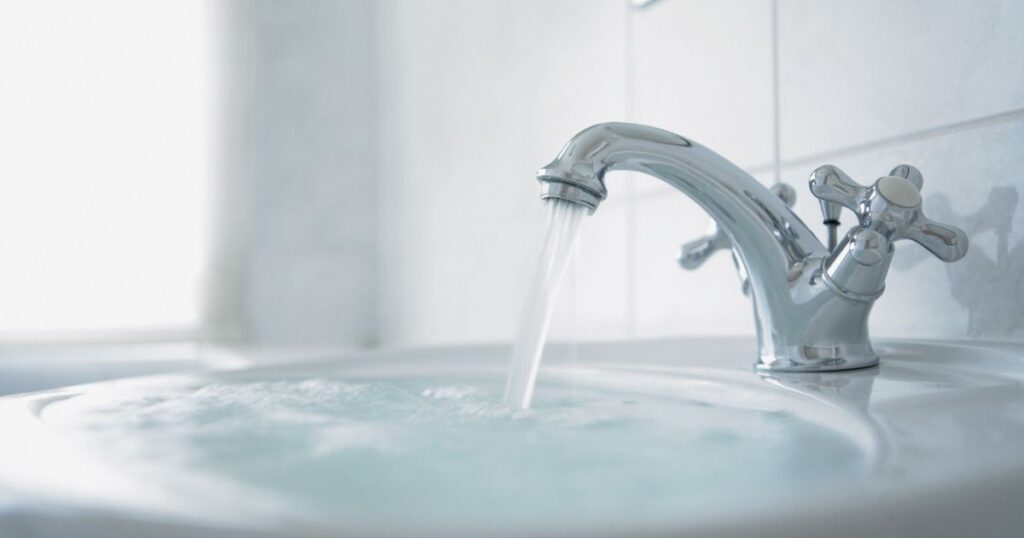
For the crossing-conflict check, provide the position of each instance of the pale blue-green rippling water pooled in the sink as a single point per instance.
(414, 453)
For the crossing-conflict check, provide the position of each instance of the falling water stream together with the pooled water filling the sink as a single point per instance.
(407, 443)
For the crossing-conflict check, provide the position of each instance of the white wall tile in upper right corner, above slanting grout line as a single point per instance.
(854, 73)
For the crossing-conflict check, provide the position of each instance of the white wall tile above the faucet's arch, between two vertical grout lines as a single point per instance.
(703, 69)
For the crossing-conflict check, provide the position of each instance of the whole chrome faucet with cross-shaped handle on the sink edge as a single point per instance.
(812, 303)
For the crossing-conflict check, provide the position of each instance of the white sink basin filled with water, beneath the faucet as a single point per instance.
(658, 438)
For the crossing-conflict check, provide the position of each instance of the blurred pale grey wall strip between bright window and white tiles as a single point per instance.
(295, 250)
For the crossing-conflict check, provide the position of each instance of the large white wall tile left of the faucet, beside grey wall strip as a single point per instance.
(478, 97)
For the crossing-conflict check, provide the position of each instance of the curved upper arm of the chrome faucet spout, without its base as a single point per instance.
(769, 237)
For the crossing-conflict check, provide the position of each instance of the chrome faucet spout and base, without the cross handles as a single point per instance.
(802, 324)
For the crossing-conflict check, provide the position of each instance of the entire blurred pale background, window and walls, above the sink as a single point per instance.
(358, 174)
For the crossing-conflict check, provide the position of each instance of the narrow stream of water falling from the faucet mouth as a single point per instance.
(562, 232)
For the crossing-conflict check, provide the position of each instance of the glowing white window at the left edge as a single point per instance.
(106, 145)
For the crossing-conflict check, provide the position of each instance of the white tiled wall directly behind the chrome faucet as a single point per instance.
(478, 95)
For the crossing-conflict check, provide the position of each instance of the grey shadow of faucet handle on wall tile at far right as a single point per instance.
(991, 289)
